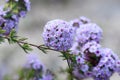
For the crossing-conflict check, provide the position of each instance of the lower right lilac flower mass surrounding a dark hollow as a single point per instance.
(95, 61)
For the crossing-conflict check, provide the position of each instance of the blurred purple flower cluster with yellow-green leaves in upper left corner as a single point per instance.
(8, 18)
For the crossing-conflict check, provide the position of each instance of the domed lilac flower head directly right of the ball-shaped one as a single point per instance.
(88, 32)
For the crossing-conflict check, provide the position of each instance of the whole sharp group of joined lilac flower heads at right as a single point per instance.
(81, 38)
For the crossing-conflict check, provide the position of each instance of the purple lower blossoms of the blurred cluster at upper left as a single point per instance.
(7, 24)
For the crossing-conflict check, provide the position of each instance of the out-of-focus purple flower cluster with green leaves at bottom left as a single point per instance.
(35, 69)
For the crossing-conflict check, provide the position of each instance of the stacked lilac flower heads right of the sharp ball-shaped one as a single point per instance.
(91, 59)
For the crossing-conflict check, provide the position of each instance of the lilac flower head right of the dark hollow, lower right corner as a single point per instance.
(106, 66)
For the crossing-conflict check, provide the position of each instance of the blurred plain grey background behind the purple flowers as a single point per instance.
(106, 13)
